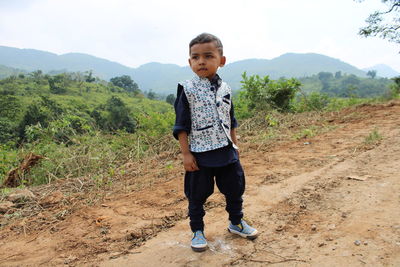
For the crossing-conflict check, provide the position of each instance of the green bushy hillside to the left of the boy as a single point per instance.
(58, 116)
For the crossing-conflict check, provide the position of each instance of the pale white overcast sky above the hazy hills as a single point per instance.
(134, 32)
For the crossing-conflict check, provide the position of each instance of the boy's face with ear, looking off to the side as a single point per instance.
(205, 59)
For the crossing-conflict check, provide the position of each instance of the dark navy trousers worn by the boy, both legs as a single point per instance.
(199, 185)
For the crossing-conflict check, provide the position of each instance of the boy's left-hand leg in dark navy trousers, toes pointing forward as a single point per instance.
(199, 185)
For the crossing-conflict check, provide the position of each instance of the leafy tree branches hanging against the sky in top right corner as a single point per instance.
(384, 24)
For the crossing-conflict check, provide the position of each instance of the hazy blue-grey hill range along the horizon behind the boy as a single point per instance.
(162, 78)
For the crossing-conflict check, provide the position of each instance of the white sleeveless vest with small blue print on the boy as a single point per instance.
(210, 114)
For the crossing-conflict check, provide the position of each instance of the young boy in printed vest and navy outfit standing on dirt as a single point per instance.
(205, 127)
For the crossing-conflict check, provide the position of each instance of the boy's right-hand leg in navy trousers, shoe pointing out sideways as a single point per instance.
(231, 182)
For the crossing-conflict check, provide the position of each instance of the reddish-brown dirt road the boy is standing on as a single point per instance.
(329, 200)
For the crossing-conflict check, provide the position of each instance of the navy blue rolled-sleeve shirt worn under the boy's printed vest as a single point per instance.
(213, 158)
